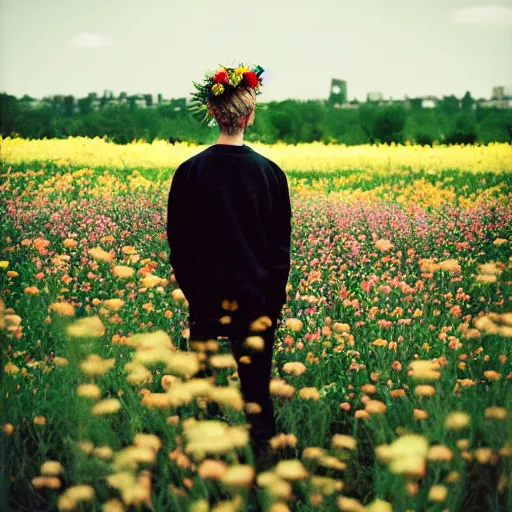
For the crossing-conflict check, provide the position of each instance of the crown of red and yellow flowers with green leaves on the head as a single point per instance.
(221, 82)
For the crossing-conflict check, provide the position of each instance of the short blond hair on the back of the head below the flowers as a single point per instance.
(232, 110)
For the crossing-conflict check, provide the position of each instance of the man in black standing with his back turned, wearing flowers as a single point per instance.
(229, 230)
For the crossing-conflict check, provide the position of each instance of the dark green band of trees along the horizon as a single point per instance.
(291, 121)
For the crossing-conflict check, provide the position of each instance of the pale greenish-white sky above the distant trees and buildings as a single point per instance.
(396, 47)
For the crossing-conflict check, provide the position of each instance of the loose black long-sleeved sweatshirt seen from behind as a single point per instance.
(229, 229)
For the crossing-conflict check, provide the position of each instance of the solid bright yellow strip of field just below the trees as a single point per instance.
(496, 157)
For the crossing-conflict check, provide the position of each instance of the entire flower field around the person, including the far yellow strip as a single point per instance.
(393, 360)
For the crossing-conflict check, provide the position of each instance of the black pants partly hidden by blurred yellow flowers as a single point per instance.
(254, 377)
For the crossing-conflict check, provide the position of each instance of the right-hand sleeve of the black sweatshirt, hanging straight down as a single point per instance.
(280, 247)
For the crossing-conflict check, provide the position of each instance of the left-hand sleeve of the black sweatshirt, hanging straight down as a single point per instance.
(180, 232)
